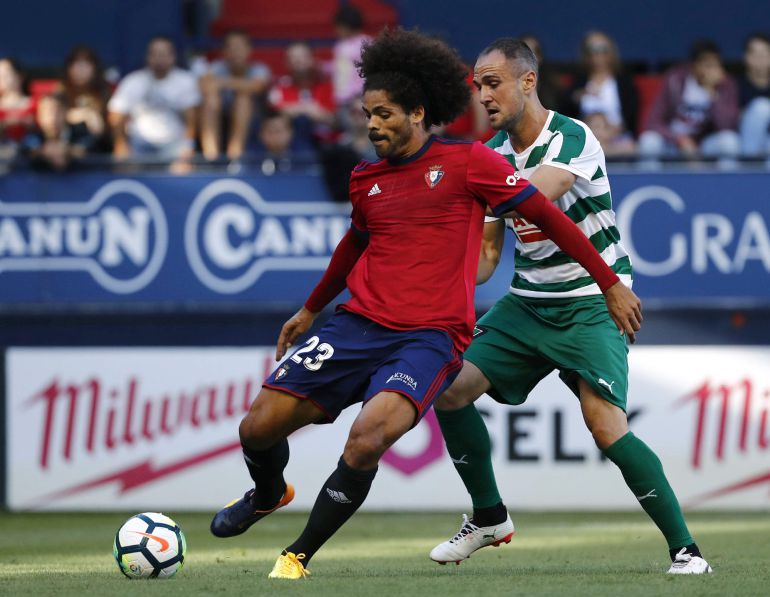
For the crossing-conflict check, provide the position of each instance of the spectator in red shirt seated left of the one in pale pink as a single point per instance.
(305, 95)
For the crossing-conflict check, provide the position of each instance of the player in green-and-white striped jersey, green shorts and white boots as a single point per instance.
(554, 316)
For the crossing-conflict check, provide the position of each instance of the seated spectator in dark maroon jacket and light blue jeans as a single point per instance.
(696, 111)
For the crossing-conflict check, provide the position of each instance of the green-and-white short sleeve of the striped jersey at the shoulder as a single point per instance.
(576, 150)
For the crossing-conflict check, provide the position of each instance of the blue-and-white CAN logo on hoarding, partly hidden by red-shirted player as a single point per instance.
(233, 236)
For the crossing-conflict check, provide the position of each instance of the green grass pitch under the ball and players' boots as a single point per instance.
(386, 554)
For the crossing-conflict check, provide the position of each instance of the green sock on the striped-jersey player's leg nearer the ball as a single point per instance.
(467, 441)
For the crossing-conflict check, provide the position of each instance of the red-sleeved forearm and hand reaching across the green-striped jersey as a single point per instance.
(624, 306)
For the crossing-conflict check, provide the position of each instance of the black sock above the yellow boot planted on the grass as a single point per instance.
(342, 494)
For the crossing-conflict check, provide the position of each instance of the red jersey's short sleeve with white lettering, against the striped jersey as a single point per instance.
(495, 181)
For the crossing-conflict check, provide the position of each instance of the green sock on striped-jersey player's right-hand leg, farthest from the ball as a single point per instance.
(644, 476)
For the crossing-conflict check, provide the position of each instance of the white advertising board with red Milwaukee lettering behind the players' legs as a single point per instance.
(157, 428)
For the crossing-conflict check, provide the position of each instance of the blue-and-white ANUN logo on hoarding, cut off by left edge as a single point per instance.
(119, 237)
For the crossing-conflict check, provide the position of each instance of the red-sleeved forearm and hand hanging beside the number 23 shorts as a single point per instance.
(332, 283)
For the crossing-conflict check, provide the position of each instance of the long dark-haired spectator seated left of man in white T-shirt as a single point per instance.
(83, 96)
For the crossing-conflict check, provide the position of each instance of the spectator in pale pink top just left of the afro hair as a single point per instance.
(348, 85)
